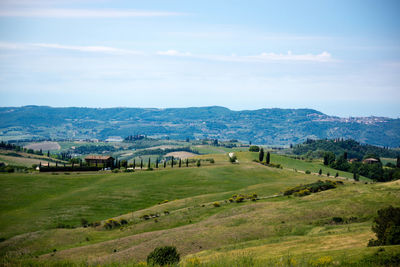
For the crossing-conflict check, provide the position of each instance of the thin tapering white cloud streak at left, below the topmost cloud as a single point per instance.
(98, 49)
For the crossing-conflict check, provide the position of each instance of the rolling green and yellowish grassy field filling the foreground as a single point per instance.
(272, 229)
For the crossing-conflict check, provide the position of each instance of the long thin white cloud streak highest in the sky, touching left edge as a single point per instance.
(83, 13)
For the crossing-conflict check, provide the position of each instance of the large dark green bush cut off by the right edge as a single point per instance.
(386, 227)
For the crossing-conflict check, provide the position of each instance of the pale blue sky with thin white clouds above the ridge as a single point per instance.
(341, 57)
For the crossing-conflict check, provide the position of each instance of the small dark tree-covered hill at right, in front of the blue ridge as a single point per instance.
(353, 148)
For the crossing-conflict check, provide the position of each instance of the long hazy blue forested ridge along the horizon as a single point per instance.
(263, 126)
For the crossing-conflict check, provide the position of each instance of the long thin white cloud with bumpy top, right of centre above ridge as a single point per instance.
(263, 57)
